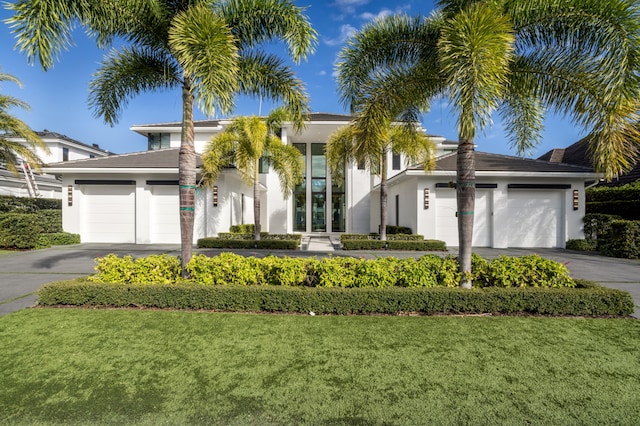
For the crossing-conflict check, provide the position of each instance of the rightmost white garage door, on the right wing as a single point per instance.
(535, 218)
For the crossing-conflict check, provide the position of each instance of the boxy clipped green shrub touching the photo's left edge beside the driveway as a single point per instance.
(20, 231)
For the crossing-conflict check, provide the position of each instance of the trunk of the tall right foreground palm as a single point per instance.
(466, 196)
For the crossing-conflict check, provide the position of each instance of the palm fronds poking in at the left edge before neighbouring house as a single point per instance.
(12, 153)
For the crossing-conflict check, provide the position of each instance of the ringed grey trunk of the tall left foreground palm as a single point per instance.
(187, 176)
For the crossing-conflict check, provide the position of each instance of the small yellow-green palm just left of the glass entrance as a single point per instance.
(244, 143)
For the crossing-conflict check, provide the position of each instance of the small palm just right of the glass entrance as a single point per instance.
(362, 143)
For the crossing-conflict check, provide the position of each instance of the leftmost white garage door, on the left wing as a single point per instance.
(109, 214)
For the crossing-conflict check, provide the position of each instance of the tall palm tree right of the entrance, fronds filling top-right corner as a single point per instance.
(518, 58)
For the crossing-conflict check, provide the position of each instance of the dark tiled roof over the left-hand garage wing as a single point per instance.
(160, 159)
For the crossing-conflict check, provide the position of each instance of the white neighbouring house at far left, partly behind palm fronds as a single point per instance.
(61, 148)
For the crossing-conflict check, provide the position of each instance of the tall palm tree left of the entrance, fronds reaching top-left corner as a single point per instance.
(210, 50)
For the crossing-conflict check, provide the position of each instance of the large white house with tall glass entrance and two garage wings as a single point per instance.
(133, 197)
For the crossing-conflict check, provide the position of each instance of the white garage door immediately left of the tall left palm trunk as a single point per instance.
(165, 215)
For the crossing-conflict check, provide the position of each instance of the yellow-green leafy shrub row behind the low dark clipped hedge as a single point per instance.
(426, 271)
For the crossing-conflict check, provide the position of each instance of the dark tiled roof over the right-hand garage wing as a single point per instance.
(487, 162)
